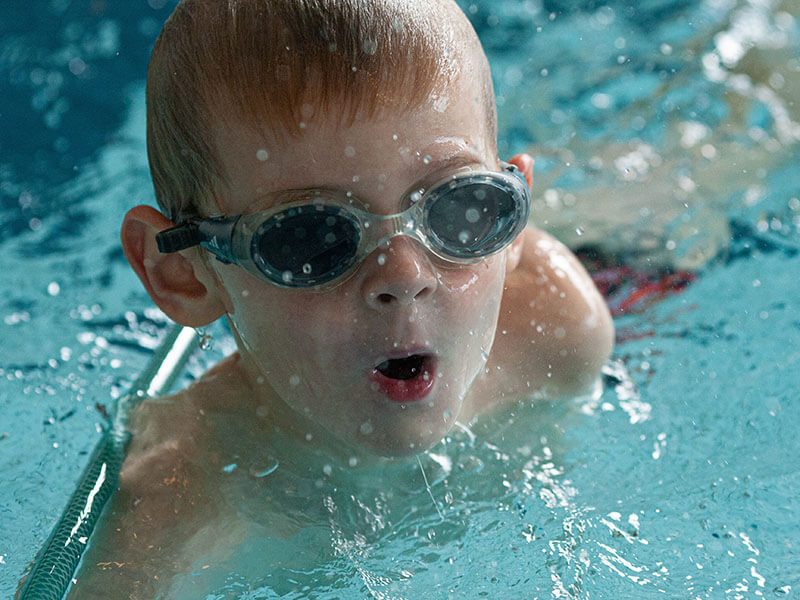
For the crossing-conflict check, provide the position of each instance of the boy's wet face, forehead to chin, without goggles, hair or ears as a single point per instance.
(318, 351)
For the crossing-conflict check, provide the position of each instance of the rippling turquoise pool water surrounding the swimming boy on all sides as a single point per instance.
(665, 133)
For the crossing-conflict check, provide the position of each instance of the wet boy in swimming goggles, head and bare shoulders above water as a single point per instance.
(362, 340)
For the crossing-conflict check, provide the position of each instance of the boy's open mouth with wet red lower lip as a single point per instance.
(405, 379)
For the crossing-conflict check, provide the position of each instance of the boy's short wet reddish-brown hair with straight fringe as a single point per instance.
(276, 63)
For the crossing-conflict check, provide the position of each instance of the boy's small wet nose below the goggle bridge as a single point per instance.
(399, 275)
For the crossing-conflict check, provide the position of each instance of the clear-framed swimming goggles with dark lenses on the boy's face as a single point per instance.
(315, 240)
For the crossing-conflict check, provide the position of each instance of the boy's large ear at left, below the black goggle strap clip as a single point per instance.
(179, 283)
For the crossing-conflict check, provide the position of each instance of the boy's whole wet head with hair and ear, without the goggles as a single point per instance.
(250, 101)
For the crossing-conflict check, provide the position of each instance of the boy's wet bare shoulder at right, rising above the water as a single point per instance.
(554, 331)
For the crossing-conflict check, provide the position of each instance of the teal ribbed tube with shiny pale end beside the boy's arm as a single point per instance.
(55, 567)
